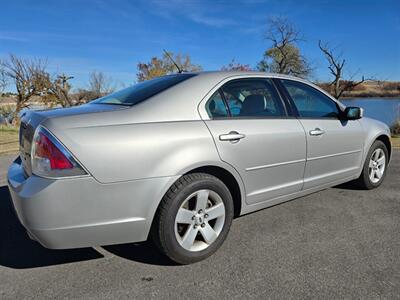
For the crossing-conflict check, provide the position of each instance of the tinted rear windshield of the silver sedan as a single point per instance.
(142, 91)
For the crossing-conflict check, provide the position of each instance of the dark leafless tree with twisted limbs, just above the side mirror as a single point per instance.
(336, 65)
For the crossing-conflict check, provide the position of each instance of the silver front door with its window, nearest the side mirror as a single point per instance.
(334, 146)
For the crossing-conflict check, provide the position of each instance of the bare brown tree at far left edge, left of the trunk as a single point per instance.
(28, 75)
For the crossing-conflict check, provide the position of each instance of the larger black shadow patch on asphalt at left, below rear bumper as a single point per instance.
(18, 251)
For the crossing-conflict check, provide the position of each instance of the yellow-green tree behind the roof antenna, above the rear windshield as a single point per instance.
(159, 66)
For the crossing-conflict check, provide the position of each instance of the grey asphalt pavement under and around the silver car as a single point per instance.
(338, 243)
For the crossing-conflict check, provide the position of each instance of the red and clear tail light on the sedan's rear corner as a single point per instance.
(50, 158)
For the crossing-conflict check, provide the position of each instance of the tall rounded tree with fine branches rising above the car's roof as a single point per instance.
(284, 55)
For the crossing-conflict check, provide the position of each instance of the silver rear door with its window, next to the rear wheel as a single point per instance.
(254, 134)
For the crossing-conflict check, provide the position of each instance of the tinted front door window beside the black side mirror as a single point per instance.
(310, 103)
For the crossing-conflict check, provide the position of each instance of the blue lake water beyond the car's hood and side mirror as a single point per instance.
(386, 110)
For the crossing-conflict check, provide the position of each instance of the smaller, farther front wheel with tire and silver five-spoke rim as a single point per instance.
(375, 166)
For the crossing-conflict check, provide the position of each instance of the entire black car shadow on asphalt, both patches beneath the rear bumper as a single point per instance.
(18, 251)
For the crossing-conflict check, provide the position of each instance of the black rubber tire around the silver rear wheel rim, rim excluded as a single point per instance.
(174, 249)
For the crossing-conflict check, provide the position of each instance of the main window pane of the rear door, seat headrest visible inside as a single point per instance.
(252, 98)
